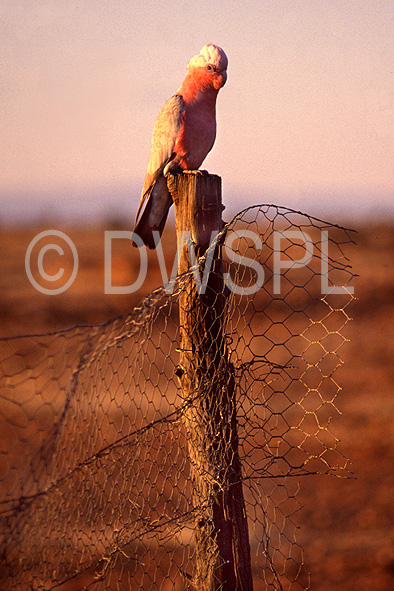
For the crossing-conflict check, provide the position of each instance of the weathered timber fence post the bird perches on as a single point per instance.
(207, 381)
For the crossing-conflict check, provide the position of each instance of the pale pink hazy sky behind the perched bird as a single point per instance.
(306, 119)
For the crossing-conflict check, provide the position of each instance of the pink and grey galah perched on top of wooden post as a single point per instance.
(183, 134)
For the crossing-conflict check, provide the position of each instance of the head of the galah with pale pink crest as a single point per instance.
(209, 67)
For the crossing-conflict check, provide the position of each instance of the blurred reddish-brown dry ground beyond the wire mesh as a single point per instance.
(347, 524)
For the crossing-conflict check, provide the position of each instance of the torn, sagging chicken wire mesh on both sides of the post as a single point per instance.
(95, 474)
